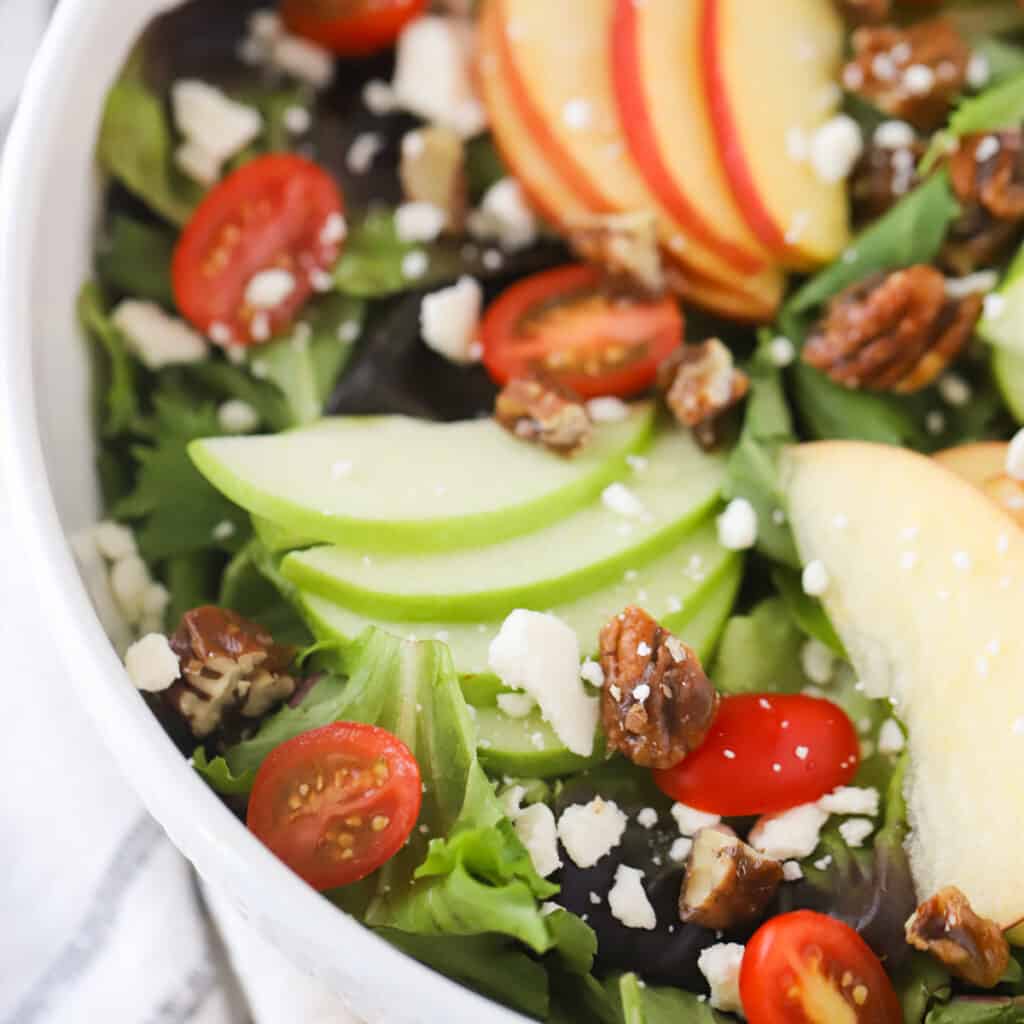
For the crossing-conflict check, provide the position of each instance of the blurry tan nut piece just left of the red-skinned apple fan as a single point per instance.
(433, 169)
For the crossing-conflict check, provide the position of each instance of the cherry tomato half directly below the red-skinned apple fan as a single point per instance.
(571, 326)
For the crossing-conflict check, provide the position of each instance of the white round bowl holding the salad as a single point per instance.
(50, 199)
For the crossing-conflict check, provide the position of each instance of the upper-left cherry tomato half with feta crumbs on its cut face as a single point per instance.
(275, 214)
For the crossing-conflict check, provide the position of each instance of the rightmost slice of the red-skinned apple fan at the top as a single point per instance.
(770, 72)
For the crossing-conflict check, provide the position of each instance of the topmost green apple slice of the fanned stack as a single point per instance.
(395, 484)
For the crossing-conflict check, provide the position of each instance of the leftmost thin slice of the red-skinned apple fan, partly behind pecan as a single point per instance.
(551, 196)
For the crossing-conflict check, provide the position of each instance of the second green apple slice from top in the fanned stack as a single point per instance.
(676, 488)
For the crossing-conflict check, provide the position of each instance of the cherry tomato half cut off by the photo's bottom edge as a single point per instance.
(804, 968)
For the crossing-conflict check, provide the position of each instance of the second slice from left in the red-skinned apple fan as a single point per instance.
(559, 62)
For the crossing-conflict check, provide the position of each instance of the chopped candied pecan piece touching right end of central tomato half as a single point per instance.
(702, 382)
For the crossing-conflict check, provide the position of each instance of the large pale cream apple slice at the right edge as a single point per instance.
(926, 579)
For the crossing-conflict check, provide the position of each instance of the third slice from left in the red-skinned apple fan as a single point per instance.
(657, 68)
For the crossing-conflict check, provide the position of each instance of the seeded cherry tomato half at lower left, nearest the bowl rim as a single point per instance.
(336, 803)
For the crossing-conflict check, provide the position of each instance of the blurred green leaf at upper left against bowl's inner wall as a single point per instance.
(137, 148)
